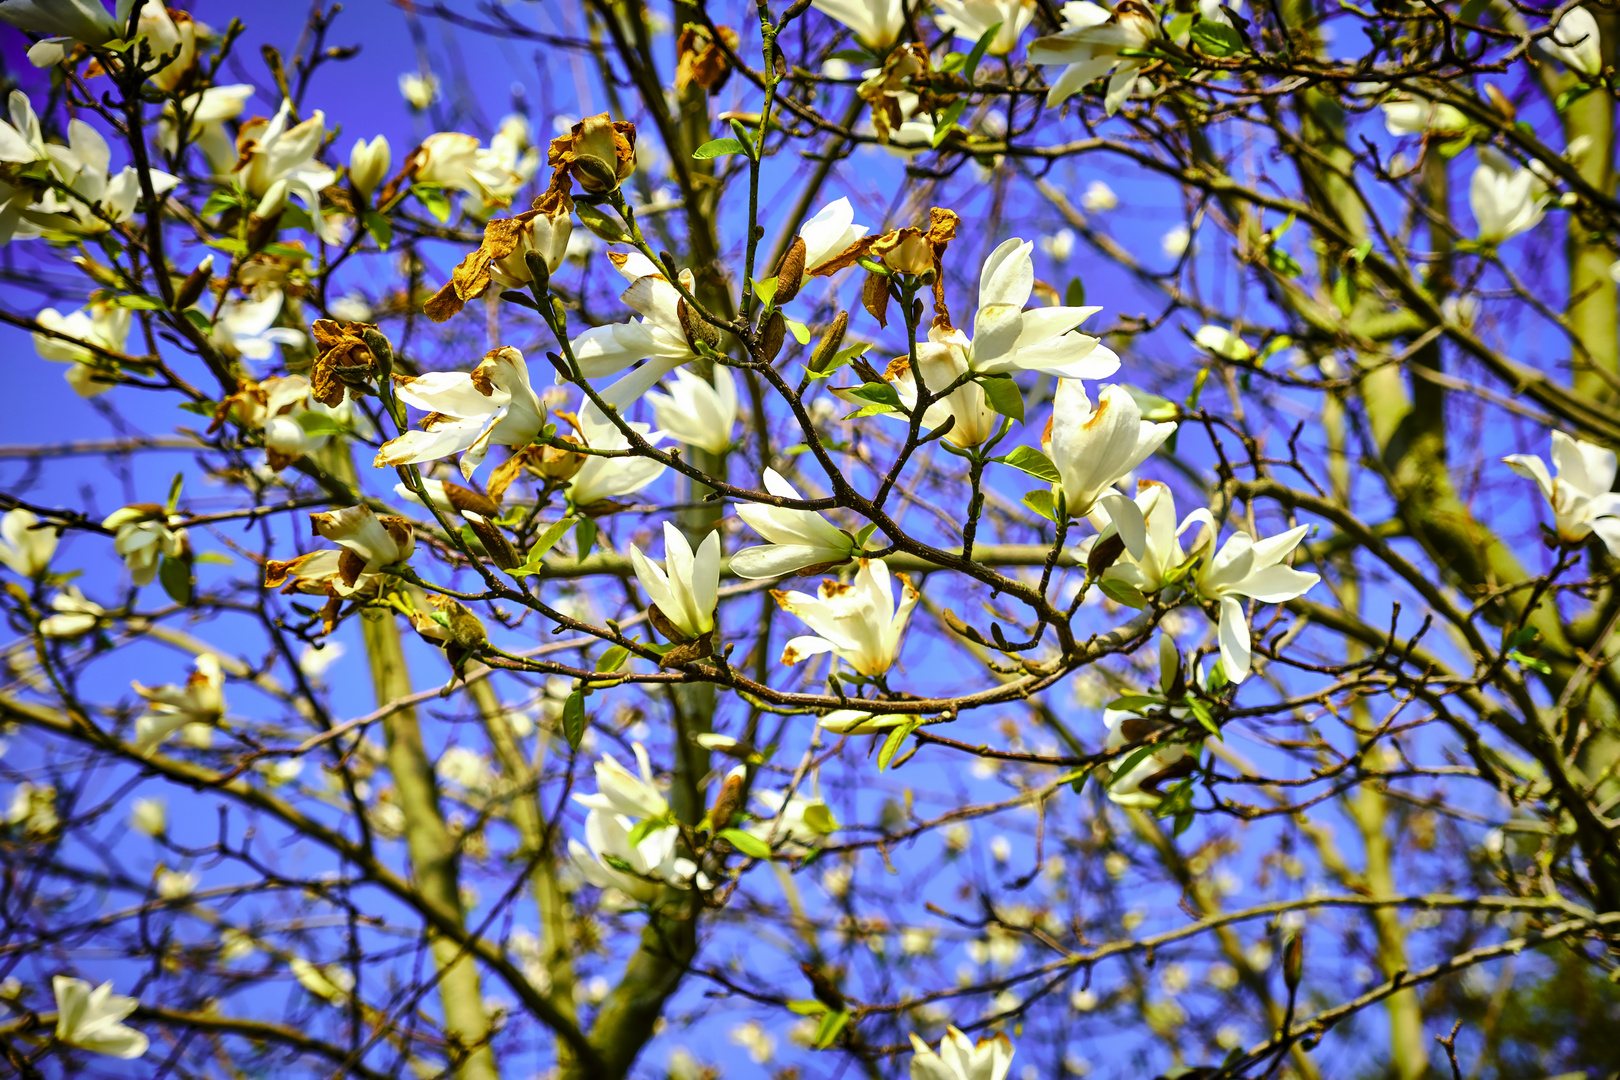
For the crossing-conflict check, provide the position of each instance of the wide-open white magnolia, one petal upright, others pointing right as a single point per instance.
(1008, 339)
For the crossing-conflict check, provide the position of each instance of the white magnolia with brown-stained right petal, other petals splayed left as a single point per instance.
(469, 412)
